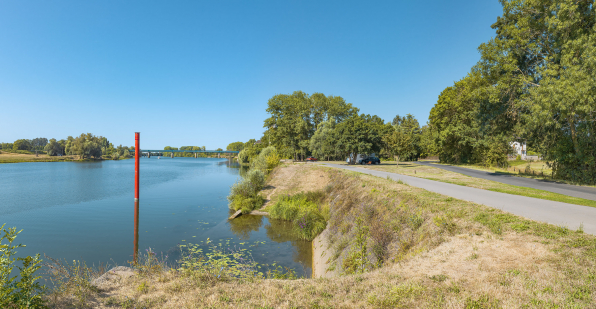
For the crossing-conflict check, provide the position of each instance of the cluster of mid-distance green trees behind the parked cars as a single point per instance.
(329, 128)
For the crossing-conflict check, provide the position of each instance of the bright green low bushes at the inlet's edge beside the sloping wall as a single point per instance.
(305, 210)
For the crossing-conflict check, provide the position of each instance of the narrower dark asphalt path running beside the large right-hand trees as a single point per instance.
(588, 193)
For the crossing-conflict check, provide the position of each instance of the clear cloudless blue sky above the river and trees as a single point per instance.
(200, 72)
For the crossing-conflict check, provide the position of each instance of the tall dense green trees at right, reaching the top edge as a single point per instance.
(535, 82)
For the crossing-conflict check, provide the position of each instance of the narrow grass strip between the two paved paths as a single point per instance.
(433, 173)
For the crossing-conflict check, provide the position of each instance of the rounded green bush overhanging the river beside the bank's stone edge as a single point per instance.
(244, 194)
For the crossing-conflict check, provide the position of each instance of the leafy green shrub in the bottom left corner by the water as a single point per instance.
(26, 292)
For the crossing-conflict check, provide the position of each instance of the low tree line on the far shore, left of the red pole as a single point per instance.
(85, 146)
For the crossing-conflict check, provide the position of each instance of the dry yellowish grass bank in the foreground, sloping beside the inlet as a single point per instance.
(391, 245)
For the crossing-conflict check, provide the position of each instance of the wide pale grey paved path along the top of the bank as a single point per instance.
(557, 213)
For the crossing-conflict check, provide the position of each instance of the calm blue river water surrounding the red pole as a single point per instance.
(84, 211)
